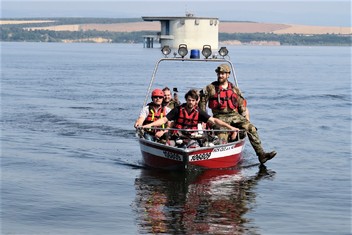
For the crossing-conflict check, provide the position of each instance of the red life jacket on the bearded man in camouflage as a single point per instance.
(223, 98)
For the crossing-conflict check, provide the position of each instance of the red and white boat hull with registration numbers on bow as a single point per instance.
(162, 156)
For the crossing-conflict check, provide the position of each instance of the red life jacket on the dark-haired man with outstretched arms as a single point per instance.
(187, 120)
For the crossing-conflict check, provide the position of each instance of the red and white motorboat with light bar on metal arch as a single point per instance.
(201, 148)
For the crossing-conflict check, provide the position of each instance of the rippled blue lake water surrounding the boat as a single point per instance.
(71, 164)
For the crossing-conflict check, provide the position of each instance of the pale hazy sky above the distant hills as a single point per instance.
(313, 12)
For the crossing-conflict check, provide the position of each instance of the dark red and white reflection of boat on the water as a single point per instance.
(196, 202)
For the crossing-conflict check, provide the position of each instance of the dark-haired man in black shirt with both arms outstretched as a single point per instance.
(188, 115)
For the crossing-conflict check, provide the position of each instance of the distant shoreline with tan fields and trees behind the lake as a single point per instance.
(106, 30)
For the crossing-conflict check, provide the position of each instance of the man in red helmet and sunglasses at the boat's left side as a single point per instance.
(152, 112)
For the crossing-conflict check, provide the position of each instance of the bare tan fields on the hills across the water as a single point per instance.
(224, 27)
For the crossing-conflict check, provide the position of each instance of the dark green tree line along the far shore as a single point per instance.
(17, 33)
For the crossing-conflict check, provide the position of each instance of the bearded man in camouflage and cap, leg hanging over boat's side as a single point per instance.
(227, 104)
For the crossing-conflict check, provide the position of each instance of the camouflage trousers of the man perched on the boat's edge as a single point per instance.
(240, 122)
